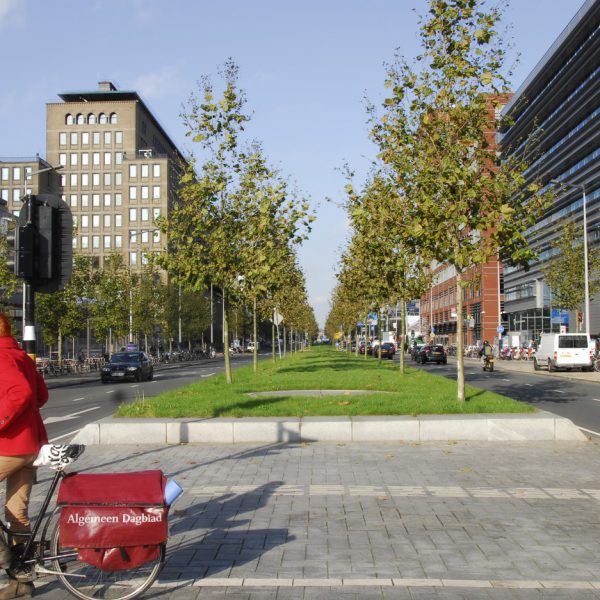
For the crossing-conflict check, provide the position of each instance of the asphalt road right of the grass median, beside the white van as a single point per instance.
(575, 400)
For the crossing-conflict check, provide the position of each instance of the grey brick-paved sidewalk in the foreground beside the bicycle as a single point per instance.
(360, 521)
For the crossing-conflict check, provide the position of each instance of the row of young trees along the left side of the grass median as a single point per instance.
(238, 222)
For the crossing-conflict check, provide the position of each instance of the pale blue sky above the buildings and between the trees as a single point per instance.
(305, 65)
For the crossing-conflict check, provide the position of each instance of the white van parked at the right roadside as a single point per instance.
(564, 351)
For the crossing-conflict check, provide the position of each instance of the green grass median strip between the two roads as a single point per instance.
(417, 392)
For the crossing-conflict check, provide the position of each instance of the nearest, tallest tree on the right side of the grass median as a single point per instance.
(436, 137)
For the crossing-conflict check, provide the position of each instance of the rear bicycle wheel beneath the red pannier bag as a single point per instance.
(90, 583)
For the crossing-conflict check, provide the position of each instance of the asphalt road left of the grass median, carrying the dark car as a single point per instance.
(71, 407)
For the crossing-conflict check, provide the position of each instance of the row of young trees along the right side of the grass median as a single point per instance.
(439, 193)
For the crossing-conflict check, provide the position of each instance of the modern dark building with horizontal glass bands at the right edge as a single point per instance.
(559, 104)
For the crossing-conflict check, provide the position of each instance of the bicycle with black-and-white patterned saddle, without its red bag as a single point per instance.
(32, 555)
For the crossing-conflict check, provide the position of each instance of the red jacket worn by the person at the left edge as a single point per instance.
(22, 393)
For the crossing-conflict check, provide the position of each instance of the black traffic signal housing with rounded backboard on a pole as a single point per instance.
(45, 251)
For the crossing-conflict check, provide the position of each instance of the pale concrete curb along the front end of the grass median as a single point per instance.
(542, 426)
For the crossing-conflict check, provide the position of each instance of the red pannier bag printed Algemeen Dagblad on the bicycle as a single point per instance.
(115, 521)
